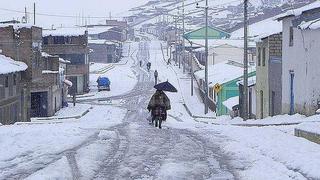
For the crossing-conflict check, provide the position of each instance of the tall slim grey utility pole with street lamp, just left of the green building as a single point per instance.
(206, 106)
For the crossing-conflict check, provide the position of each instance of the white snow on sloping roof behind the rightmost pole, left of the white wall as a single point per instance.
(262, 28)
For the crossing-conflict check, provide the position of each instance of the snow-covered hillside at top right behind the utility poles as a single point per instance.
(225, 14)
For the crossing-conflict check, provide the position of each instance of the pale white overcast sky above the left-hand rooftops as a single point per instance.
(93, 8)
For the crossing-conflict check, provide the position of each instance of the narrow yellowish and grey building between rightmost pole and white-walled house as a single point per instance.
(269, 72)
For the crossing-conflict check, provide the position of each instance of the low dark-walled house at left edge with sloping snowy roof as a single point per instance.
(12, 91)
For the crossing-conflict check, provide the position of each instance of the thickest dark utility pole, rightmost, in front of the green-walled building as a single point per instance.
(245, 63)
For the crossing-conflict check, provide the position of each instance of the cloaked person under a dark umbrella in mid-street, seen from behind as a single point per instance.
(159, 103)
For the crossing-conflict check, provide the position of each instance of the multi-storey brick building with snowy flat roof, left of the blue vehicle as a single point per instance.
(71, 44)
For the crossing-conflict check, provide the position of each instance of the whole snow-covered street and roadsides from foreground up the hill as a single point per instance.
(114, 140)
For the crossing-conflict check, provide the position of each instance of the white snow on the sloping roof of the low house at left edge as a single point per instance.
(8, 65)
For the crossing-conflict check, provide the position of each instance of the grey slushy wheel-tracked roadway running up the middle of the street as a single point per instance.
(145, 152)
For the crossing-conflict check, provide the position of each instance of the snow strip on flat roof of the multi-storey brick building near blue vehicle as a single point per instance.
(74, 31)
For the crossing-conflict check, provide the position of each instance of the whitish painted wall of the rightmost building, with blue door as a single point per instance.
(303, 57)
